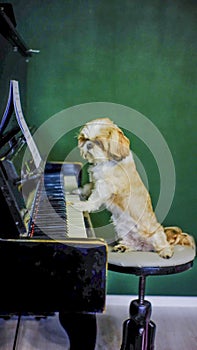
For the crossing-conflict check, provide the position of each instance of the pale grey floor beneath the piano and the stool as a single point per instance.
(176, 330)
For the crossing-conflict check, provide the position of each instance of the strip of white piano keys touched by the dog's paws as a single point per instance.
(75, 218)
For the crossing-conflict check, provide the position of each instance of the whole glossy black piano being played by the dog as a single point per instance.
(50, 259)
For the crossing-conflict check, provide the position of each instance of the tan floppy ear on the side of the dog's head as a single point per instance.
(119, 145)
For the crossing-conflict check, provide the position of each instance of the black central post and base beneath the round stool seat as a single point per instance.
(138, 330)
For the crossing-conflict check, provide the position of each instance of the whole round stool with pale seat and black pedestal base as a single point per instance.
(139, 330)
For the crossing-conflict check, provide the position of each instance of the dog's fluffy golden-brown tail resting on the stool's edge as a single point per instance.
(176, 236)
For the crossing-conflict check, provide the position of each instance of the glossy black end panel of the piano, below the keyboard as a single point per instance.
(47, 276)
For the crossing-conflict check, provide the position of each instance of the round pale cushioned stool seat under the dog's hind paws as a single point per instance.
(150, 263)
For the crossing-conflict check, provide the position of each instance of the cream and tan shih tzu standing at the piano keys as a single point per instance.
(118, 186)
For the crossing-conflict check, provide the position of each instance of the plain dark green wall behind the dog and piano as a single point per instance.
(141, 54)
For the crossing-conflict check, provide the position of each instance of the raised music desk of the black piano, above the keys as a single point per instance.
(20, 165)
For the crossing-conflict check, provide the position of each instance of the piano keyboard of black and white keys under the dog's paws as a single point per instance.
(52, 212)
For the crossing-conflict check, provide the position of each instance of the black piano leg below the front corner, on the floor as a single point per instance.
(81, 329)
